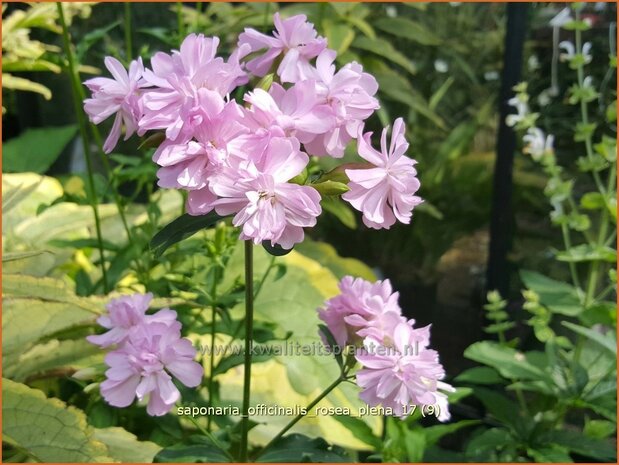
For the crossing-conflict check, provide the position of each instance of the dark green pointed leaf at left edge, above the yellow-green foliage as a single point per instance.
(36, 149)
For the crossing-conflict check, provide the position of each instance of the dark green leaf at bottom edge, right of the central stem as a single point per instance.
(297, 448)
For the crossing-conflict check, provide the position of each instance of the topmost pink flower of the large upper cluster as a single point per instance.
(294, 37)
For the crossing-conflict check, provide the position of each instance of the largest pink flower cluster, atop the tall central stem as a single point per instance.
(244, 158)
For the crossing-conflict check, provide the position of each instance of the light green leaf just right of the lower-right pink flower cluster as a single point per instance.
(507, 361)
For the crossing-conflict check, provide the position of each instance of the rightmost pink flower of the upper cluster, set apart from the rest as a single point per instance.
(384, 192)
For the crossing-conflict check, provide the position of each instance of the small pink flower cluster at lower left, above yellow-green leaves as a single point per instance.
(148, 350)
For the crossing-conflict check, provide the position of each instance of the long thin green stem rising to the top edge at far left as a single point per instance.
(75, 86)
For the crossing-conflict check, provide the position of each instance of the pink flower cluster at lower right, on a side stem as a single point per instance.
(398, 370)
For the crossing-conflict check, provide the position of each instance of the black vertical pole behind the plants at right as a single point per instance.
(501, 222)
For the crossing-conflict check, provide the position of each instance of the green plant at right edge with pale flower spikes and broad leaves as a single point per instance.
(566, 391)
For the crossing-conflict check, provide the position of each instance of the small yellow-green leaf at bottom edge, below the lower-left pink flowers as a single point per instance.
(123, 446)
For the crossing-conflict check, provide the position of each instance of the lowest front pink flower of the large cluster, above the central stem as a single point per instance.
(267, 207)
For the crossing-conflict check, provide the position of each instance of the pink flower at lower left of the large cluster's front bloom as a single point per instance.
(190, 165)
